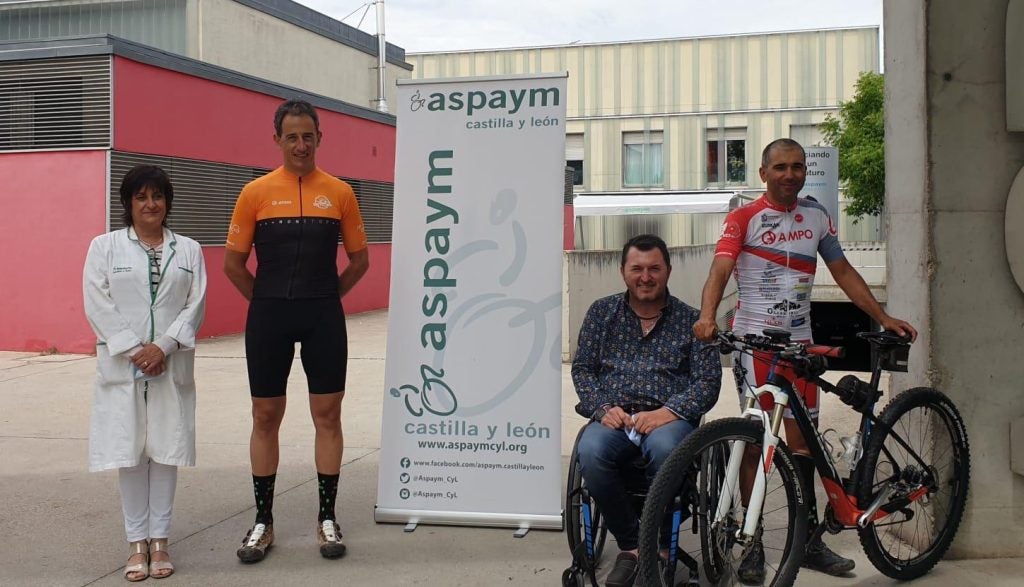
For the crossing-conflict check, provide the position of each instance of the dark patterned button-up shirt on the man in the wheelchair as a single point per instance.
(617, 365)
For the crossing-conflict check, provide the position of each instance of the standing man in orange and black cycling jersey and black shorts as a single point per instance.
(293, 217)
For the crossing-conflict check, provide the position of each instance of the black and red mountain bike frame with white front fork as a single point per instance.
(845, 507)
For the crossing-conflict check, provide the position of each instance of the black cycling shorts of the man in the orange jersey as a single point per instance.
(273, 328)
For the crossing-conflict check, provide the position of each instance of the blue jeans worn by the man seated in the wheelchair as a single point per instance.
(606, 455)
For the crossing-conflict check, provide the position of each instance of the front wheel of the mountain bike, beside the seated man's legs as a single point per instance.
(696, 473)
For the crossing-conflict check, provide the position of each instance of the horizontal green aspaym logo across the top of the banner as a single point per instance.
(497, 102)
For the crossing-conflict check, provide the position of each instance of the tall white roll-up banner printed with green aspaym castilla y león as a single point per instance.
(472, 425)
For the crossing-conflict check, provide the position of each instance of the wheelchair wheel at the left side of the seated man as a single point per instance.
(585, 527)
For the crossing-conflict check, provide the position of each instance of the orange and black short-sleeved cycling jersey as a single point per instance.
(294, 223)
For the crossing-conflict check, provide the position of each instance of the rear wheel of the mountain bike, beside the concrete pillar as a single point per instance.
(942, 427)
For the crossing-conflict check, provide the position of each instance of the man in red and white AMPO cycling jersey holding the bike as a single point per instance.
(772, 246)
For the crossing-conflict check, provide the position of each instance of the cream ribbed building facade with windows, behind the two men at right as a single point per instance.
(677, 116)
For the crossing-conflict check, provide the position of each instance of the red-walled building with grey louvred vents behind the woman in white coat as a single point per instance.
(78, 111)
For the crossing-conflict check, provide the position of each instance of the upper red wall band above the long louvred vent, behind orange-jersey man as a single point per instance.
(166, 113)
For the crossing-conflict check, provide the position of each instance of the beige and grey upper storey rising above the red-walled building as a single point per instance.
(276, 40)
